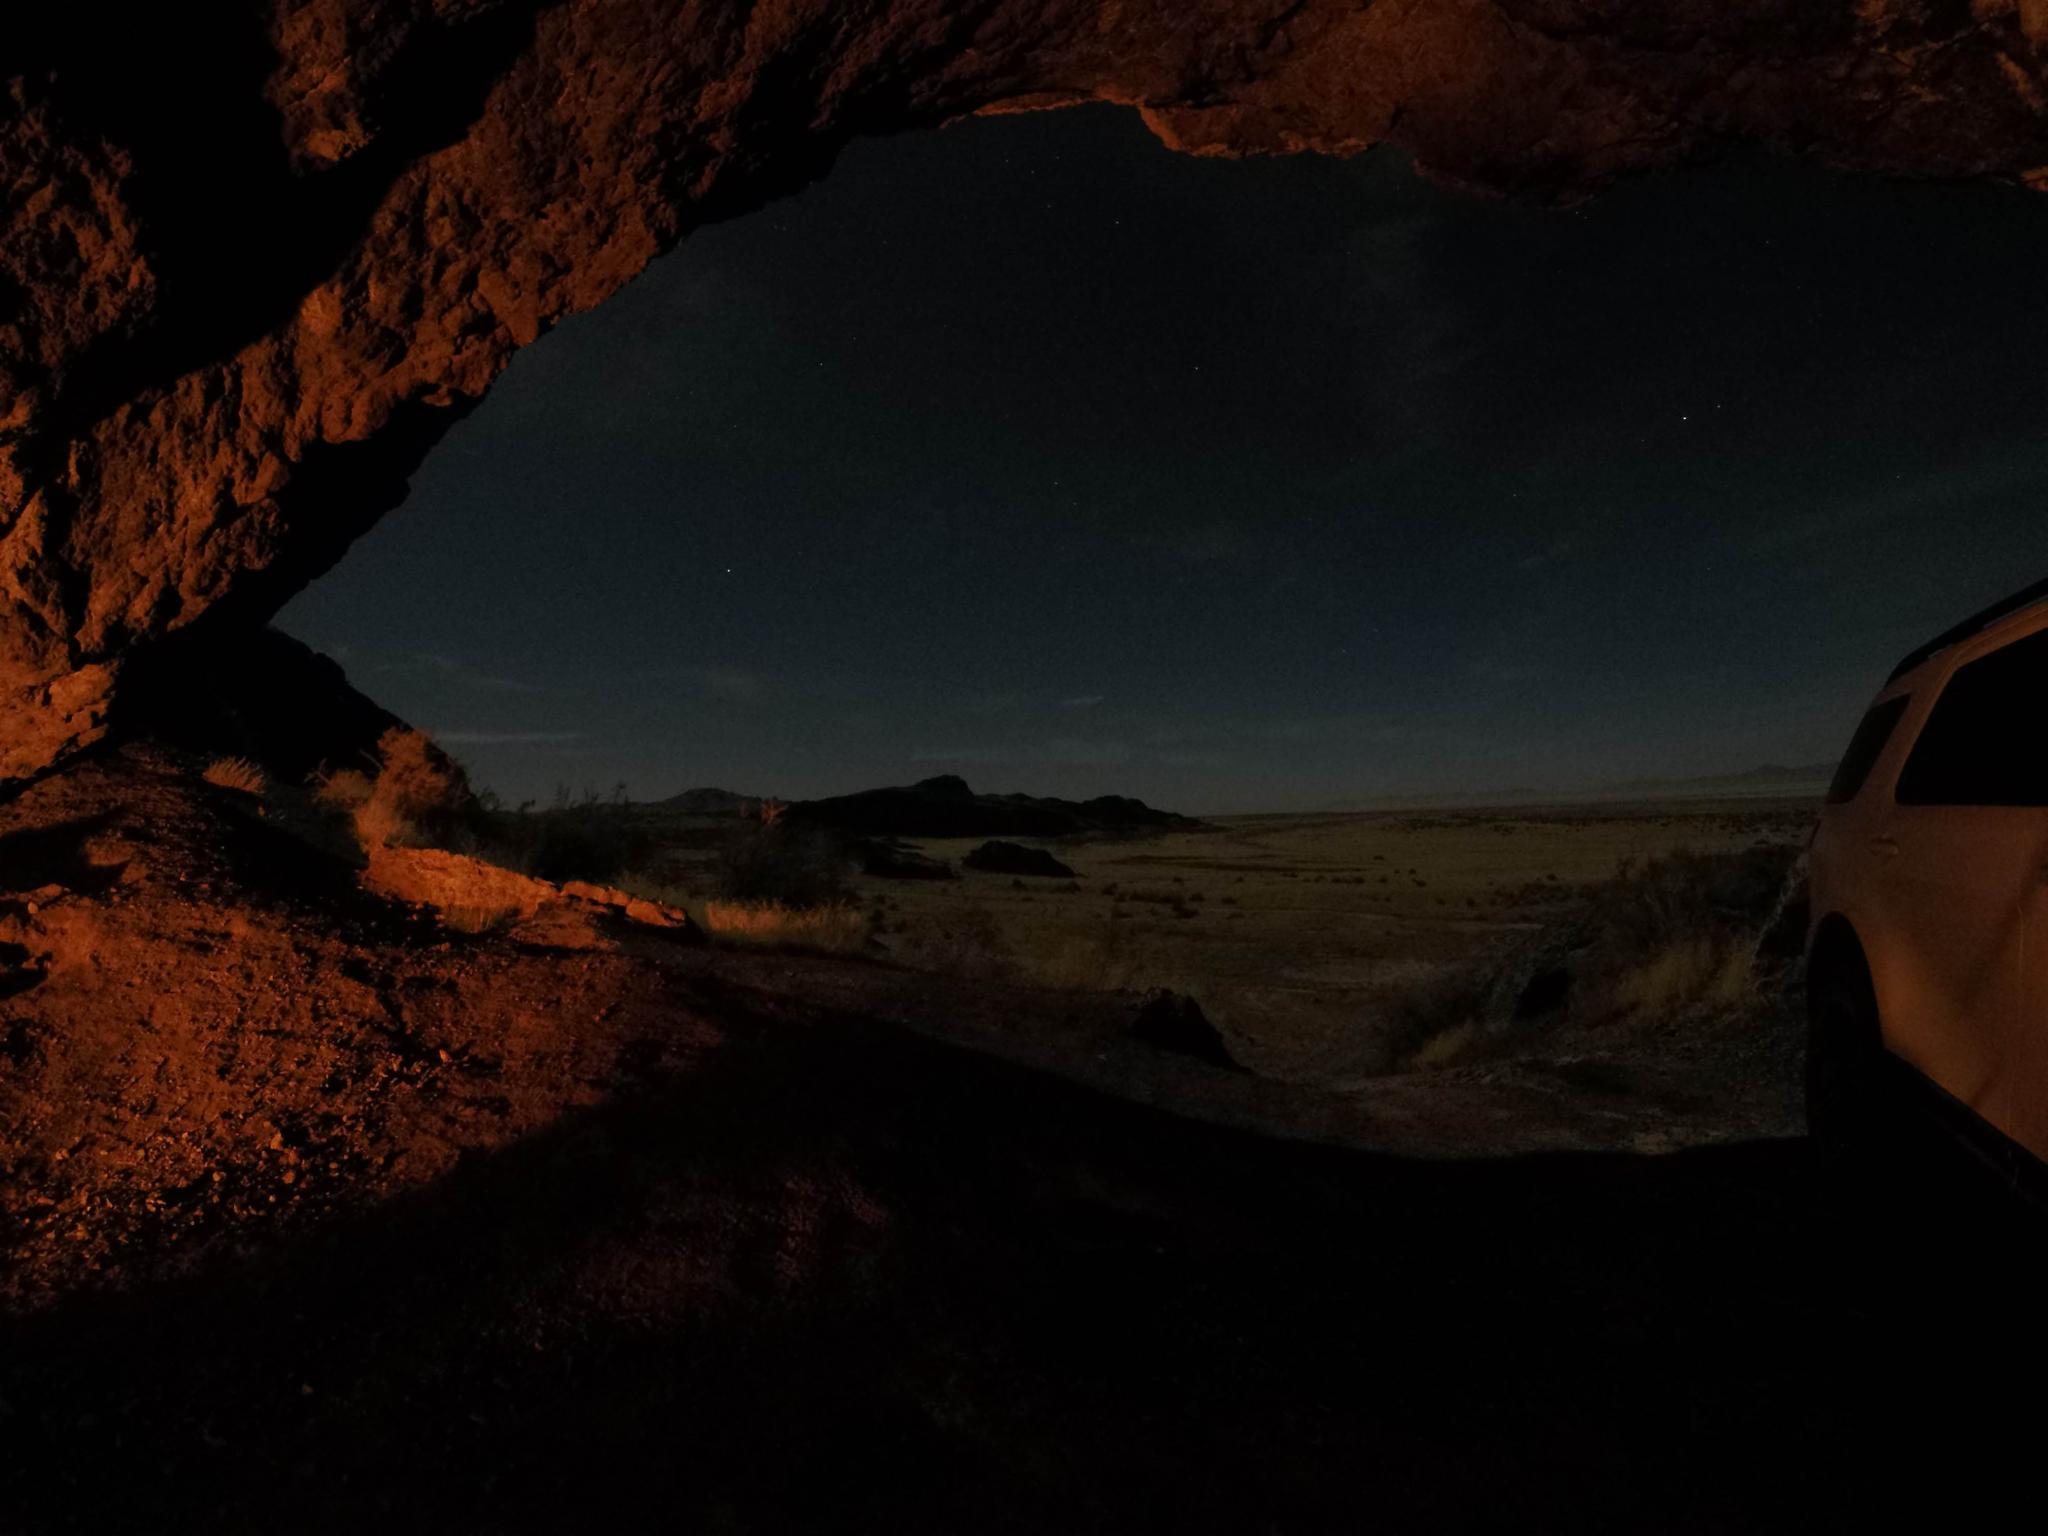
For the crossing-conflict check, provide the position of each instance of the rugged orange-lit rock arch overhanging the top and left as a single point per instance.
(255, 261)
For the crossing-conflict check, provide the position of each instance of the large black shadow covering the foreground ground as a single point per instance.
(845, 1279)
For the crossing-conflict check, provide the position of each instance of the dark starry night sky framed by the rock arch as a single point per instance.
(1037, 454)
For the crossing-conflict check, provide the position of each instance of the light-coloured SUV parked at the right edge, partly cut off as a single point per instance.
(1930, 888)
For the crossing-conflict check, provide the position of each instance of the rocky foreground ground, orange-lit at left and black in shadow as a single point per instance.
(321, 1215)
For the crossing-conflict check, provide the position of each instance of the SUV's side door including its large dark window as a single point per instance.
(1961, 876)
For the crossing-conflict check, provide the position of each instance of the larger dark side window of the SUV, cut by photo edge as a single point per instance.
(1983, 740)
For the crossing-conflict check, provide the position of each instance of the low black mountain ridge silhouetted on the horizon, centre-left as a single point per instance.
(947, 808)
